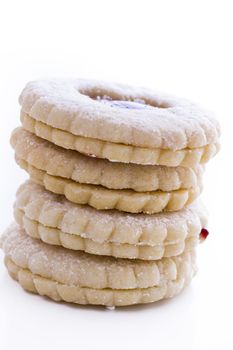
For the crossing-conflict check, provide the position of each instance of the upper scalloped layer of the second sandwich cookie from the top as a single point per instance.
(80, 168)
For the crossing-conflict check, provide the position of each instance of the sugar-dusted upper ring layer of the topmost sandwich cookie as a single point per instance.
(181, 124)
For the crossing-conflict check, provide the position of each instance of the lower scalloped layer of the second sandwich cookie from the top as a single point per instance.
(102, 198)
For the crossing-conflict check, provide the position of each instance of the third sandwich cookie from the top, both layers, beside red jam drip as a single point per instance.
(54, 220)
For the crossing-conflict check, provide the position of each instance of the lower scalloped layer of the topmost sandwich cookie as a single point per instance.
(120, 152)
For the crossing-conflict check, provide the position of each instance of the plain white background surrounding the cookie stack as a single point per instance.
(182, 47)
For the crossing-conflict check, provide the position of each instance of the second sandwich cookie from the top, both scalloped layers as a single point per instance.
(81, 180)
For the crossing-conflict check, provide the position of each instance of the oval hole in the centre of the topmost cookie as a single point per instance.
(113, 99)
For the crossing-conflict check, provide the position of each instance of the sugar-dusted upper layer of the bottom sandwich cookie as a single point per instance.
(81, 269)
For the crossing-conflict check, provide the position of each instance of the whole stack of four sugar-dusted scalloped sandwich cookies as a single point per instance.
(110, 214)
